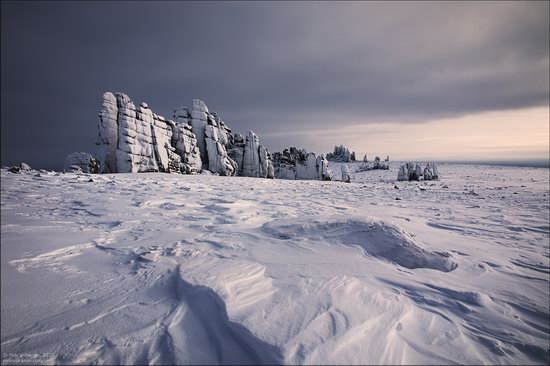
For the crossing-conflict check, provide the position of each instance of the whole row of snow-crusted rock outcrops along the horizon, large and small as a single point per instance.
(134, 139)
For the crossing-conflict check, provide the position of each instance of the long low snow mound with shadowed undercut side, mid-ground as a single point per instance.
(375, 238)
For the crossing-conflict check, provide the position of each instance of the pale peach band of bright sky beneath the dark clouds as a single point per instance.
(520, 134)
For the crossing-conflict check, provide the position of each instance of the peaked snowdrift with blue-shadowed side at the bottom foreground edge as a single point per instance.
(198, 310)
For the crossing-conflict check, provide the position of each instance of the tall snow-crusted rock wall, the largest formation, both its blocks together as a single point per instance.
(137, 140)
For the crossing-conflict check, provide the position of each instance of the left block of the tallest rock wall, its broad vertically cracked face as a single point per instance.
(137, 140)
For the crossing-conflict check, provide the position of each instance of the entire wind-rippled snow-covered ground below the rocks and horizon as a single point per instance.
(158, 268)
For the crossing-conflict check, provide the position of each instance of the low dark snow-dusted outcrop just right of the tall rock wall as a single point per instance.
(299, 164)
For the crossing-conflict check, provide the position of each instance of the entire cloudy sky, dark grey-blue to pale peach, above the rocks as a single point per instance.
(412, 80)
